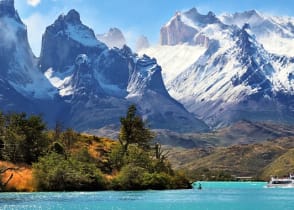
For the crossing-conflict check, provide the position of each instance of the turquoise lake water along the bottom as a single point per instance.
(214, 195)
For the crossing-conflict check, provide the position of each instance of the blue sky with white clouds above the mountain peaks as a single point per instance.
(133, 17)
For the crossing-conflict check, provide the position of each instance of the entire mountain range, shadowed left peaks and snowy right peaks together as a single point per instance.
(208, 72)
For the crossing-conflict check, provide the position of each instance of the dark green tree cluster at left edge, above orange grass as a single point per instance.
(23, 137)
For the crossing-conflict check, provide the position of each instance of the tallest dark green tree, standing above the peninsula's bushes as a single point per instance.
(133, 131)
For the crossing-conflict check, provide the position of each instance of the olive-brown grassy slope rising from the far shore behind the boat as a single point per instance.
(260, 159)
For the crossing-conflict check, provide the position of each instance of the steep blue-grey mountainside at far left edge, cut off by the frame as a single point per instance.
(23, 87)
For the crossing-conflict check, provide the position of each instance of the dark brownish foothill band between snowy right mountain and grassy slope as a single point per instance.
(243, 132)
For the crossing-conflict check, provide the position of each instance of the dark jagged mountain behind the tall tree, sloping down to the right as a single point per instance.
(99, 83)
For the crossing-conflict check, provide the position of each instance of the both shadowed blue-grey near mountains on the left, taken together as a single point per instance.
(79, 81)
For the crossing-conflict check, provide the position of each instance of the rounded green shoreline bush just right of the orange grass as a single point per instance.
(54, 173)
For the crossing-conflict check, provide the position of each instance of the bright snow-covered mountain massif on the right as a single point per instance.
(226, 68)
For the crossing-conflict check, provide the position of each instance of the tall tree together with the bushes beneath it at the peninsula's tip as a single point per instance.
(140, 164)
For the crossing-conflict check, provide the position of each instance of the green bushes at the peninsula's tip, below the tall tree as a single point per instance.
(141, 170)
